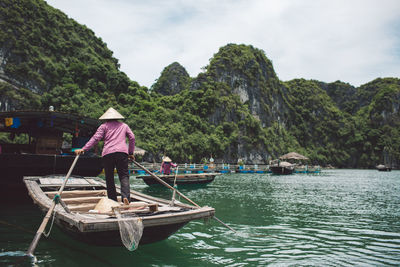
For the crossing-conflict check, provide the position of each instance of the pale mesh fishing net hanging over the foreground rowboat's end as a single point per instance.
(130, 229)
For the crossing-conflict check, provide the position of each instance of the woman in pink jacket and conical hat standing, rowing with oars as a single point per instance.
(115, 151)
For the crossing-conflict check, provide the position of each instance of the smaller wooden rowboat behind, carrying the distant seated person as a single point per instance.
(185, 178)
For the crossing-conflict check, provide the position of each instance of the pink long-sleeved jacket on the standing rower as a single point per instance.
(114, 134)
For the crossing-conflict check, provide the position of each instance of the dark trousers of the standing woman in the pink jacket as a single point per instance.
(117, 160)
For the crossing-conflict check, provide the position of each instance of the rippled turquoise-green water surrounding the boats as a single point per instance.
(336, 218)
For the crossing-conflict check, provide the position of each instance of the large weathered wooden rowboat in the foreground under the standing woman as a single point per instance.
(81, 196)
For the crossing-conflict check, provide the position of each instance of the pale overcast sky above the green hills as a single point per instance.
(354, 41)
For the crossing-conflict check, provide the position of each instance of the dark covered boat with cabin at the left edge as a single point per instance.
(42, 143)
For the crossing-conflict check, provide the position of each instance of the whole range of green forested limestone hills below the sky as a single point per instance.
(237, 109)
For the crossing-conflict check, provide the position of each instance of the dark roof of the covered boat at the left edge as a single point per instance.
(35, 122)
